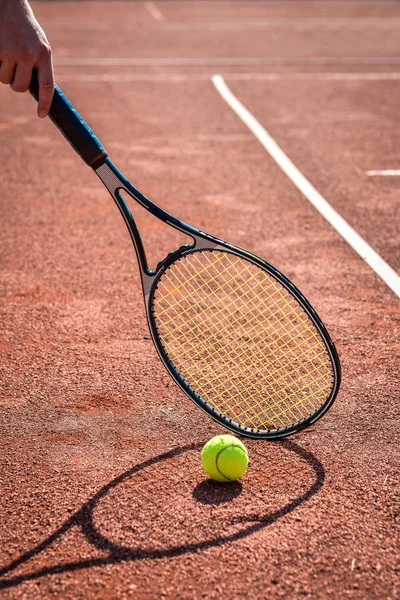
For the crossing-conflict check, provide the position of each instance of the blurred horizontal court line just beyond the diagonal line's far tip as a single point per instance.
(207, 62)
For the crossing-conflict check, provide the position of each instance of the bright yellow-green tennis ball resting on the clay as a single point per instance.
(224, 458)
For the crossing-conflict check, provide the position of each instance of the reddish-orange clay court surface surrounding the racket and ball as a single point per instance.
(102, 494)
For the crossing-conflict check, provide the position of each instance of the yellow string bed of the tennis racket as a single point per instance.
(241, 341)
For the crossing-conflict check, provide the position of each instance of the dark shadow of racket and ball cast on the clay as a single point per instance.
(205, 493)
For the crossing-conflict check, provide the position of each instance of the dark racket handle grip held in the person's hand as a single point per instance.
(72, 126)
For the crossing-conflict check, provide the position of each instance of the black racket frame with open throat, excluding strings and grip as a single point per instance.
(116, 183)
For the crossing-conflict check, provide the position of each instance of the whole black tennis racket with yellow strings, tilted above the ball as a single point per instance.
(233, 332)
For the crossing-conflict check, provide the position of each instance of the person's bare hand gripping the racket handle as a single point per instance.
(23, 47)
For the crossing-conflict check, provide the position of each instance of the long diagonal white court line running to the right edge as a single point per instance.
(372, 258)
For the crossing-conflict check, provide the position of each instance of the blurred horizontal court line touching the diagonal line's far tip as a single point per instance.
(176, 77)
